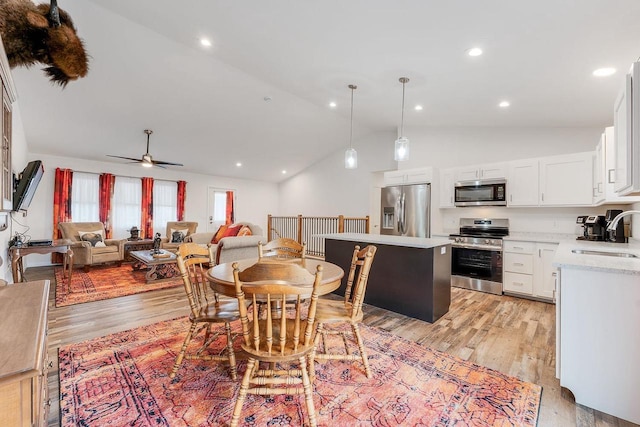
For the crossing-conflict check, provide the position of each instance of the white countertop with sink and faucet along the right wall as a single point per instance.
(566, 256)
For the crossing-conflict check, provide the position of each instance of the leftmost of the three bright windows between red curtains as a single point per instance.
(85, 193)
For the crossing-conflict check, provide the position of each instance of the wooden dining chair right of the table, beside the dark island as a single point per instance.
(348, 311)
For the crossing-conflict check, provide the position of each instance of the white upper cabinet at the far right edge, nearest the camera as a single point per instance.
(626, 122)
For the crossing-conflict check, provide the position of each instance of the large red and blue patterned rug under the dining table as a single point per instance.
(122, 379)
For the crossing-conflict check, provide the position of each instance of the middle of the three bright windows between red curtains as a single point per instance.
(125, 206)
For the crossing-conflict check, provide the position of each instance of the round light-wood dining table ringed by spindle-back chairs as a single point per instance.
(221, 276)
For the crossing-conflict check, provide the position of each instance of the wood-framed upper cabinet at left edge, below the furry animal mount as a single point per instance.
(8, 97)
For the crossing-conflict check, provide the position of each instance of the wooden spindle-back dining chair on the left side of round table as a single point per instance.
(206, 308)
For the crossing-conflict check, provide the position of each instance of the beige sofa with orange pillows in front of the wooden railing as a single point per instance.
(234, 248)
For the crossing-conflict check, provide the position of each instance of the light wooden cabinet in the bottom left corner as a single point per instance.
(23, 372)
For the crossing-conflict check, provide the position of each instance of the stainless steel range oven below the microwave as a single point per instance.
(476, 254)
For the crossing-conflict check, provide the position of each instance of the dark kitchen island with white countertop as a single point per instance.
(409, 275)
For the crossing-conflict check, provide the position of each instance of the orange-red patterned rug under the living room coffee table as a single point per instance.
(104, 282)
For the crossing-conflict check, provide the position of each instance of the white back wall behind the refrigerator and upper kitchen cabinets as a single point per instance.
(328, 189)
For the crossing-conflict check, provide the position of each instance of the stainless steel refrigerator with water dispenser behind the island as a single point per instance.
(406, 210)
